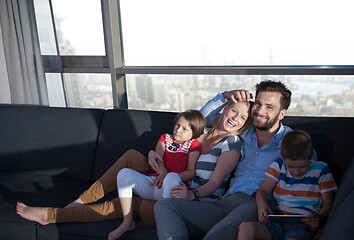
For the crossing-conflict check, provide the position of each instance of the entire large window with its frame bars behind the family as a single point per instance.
(170, 55)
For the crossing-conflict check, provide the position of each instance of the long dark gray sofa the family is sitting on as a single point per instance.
(48, 156)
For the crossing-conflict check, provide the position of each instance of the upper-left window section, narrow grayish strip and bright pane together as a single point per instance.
(78, 26)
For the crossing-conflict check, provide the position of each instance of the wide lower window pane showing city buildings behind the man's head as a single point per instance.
(312, 95)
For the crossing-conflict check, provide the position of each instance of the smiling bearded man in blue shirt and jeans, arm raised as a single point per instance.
(178, 219)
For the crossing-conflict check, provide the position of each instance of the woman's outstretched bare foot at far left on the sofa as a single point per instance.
(37, 214)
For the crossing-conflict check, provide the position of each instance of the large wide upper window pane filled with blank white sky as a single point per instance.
(236, 32)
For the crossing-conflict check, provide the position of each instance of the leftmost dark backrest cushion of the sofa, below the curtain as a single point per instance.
(49, 141)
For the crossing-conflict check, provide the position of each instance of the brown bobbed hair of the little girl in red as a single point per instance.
(196, 120)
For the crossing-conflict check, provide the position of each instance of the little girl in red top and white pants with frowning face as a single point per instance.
(177, 154)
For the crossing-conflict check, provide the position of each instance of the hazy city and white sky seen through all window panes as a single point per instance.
(215, 44)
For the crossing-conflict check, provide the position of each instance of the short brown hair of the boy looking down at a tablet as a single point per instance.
(296, 145)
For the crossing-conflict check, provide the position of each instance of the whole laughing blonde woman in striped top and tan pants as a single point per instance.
(234, 120)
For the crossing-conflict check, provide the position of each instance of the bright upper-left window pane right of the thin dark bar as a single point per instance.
(80, 27)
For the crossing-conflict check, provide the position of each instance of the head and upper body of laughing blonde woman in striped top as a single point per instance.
(221, 148)
